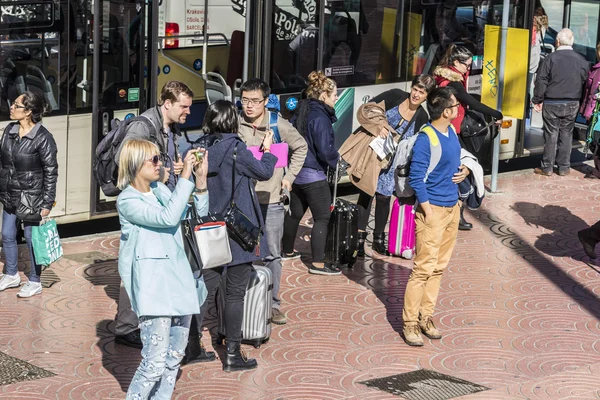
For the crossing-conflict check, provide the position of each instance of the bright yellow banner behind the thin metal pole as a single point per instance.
(515, 72)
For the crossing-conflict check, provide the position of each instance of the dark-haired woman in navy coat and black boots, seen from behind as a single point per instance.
(221, 124)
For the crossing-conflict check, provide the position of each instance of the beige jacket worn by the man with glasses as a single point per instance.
(269, 192)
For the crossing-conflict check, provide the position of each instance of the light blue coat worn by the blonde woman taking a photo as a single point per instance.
(152, 263)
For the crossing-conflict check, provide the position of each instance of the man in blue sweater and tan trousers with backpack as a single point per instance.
(435, 172)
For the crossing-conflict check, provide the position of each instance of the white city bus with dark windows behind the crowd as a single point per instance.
(94, 60)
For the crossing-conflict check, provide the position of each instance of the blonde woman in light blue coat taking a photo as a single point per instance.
(153, 266)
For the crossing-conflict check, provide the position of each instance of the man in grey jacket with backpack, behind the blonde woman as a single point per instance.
(172, 109)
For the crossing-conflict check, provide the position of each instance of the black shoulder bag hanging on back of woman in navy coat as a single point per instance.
(241, 228)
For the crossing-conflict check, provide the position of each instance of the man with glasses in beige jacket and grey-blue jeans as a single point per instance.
(256, 121)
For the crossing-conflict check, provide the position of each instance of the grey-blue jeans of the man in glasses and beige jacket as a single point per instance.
(274, 215)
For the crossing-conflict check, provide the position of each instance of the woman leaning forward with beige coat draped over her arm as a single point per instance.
(406, 115)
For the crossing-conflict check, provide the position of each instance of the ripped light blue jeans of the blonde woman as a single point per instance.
(164, 339)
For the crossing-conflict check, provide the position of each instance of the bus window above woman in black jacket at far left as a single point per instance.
(31, 55)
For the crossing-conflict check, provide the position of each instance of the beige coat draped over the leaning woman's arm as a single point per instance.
(365, 166)
